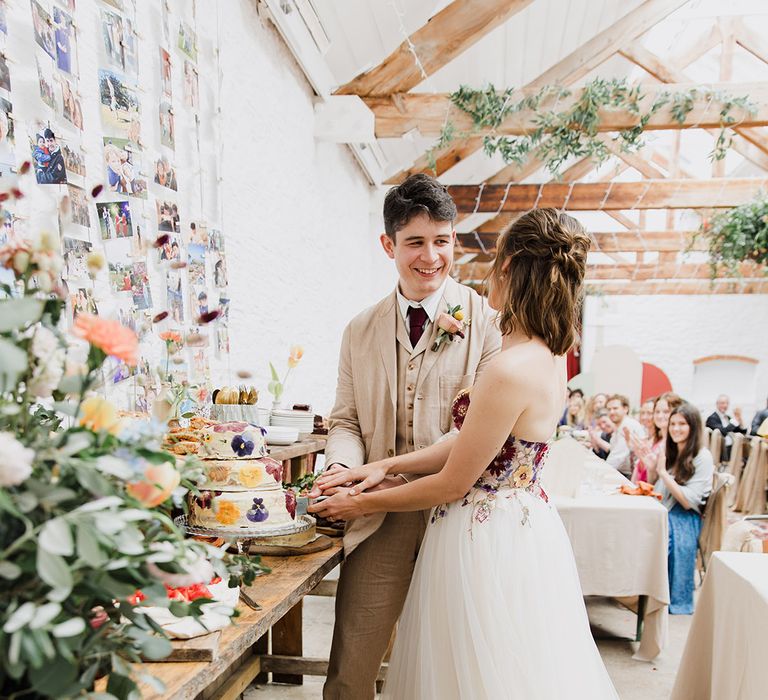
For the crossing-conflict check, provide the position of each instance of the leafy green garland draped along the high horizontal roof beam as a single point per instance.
(573, 132)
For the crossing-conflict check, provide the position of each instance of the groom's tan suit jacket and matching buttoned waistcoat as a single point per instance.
(377, 366)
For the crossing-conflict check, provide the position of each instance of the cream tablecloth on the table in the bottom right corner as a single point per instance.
(726, 655)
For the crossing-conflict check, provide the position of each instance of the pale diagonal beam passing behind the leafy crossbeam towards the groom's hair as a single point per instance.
(566, 72)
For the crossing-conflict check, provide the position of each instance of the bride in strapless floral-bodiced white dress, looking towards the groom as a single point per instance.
(495, 608)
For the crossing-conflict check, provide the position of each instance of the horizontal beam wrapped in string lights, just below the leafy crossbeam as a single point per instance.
(610, 196)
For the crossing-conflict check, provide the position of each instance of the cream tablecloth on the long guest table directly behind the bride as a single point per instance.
(619, 542)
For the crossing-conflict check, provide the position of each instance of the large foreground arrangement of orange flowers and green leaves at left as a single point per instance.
(85, 503)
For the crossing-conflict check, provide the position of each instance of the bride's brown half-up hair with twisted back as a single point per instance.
(537, 277)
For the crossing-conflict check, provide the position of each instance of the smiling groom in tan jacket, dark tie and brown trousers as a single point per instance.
(394, 396)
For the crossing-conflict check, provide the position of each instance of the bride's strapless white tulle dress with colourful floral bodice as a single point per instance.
(495, 609)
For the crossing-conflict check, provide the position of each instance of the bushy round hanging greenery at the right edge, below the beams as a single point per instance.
(738, 235)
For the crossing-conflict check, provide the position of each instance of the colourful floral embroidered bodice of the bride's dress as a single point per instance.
(517, 466)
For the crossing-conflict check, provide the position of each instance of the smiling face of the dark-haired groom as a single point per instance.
(423, 254)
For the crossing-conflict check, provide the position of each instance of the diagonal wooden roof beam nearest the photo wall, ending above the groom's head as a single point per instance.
(446, 35)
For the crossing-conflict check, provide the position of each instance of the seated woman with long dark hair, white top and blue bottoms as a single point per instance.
(683, 476)
